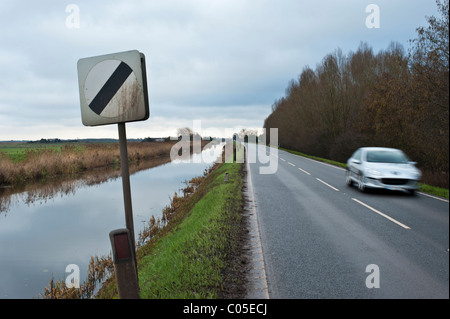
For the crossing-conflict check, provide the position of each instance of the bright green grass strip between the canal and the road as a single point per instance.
(190, 261)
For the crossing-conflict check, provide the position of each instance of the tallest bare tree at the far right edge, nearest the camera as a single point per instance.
(429, 60)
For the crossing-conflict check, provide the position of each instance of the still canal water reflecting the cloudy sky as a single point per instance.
(47, 226)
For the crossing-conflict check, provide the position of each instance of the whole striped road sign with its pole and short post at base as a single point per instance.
(113, 89)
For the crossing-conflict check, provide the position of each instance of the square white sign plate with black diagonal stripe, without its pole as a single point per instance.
(113, 88)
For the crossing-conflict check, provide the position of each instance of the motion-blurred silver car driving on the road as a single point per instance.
(381, 167)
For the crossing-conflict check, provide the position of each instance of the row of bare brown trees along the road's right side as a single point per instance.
(392, 99)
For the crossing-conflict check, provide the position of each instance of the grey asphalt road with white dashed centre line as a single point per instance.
(323, 239)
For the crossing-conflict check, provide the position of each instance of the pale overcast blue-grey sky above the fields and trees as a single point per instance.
(223, 62)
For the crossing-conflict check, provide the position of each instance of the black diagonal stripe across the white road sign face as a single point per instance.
(110, 88)
